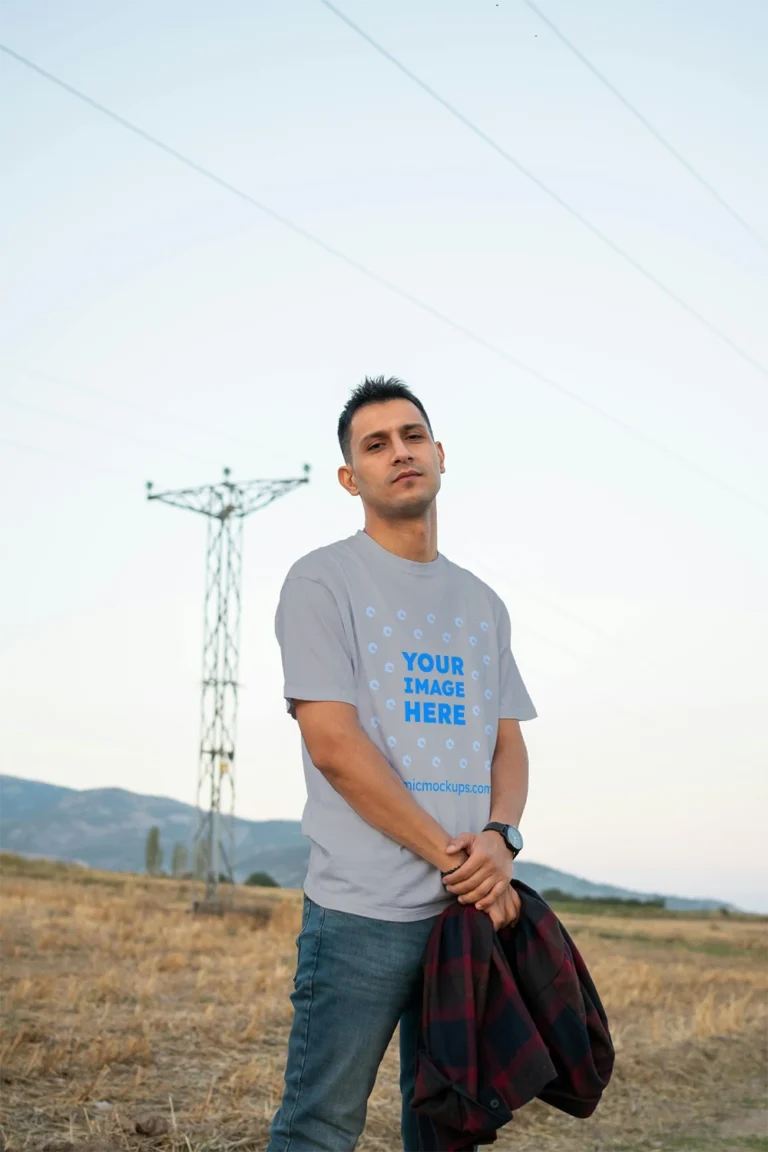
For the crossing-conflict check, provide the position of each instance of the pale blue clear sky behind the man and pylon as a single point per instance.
(637, 590)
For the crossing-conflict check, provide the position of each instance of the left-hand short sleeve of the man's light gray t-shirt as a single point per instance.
(316, 657)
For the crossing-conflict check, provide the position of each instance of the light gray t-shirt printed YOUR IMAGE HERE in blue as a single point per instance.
(423, 653)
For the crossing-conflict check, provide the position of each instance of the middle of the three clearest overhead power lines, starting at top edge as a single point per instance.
(598, 233)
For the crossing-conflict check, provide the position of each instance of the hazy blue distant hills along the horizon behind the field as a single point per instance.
(108, 828)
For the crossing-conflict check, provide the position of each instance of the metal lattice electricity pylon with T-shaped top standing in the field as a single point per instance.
(226, 506)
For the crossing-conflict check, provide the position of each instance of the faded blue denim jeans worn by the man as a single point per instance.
(356, 979)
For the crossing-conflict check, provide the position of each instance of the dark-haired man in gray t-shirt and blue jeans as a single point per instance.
(399, 670)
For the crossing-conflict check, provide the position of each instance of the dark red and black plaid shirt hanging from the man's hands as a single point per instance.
(507, 1018)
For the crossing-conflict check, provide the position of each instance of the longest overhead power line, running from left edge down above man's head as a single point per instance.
(416, 301)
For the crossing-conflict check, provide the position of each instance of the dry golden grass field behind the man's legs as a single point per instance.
(120, 1010)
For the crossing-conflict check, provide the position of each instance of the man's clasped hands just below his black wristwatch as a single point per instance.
(484, 878)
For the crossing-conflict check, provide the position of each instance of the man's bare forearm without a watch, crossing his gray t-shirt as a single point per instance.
(369, 784)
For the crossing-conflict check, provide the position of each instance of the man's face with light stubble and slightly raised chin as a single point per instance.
(396, 465)
